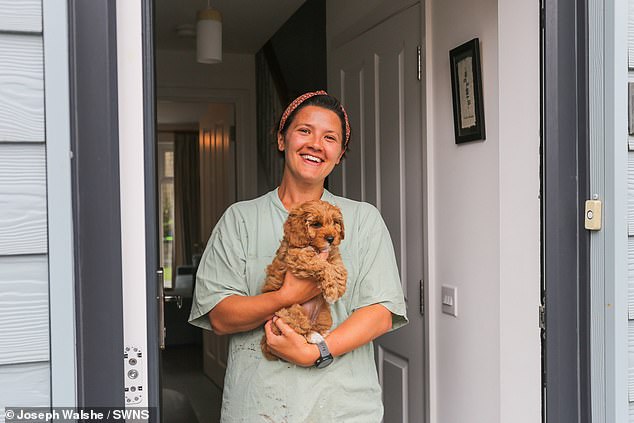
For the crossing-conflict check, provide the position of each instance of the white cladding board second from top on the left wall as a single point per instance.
(21, 88)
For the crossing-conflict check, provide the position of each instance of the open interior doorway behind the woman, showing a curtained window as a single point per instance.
(196, 181)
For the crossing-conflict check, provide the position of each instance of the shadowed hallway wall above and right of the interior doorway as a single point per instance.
(180, 78)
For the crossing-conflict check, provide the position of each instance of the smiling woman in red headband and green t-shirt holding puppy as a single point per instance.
(313, 134)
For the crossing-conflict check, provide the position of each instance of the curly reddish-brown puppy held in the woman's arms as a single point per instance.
(311, 228)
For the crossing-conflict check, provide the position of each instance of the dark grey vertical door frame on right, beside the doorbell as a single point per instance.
(565, 187)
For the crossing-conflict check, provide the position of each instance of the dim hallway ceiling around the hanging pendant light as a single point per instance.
(246, 25)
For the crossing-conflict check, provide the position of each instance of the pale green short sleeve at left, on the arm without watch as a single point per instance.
(222, 269)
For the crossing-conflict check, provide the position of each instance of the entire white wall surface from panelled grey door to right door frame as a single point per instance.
(484, 223)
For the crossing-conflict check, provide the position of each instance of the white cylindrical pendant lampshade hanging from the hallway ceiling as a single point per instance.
(208, 36)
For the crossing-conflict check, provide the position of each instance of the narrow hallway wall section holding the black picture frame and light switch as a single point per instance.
(464, 233)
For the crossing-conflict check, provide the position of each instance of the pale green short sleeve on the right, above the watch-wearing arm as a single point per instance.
(379, 281)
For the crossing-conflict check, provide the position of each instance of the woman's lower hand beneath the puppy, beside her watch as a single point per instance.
(289, 345)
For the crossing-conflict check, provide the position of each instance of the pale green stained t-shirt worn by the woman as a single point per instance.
(241, 245)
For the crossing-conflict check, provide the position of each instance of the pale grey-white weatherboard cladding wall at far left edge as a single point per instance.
(24, 306)
